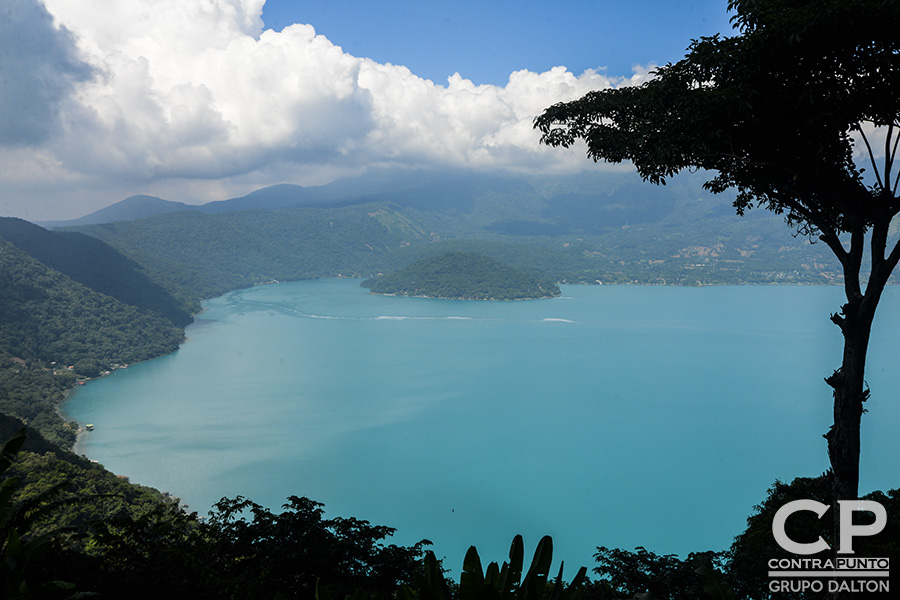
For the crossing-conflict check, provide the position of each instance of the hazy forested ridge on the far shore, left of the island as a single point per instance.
(195, 255)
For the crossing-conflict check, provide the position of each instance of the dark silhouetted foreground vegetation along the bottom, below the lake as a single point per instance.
(71, 527)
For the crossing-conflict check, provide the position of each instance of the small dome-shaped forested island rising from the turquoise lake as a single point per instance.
(461, 276)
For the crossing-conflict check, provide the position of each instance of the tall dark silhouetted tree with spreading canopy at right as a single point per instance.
(790, 113)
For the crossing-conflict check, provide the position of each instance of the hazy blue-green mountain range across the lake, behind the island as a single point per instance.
(606, 226)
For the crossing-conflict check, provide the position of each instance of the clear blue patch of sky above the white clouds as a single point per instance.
(485, 41)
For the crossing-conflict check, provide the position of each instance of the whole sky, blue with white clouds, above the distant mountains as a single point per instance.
(201, 100)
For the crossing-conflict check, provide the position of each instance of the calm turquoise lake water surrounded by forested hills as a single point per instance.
(614, 415)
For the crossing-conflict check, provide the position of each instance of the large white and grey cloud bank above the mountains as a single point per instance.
(153, 94)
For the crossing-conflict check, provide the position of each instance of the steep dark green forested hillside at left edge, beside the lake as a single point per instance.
(49, 323)
